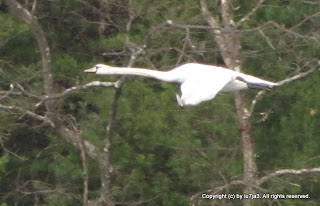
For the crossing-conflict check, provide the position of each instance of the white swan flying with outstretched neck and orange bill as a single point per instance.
(198, 82)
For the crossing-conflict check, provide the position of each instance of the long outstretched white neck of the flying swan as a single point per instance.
(166, 76)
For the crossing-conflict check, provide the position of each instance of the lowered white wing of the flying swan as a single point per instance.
(196, 90)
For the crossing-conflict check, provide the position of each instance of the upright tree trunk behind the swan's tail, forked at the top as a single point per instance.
(229, 45)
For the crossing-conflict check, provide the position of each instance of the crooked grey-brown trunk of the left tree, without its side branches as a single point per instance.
(72, 136)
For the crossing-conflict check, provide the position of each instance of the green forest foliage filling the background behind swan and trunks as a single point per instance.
(162, 154)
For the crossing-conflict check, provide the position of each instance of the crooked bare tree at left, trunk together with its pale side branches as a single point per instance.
(70, 135)
